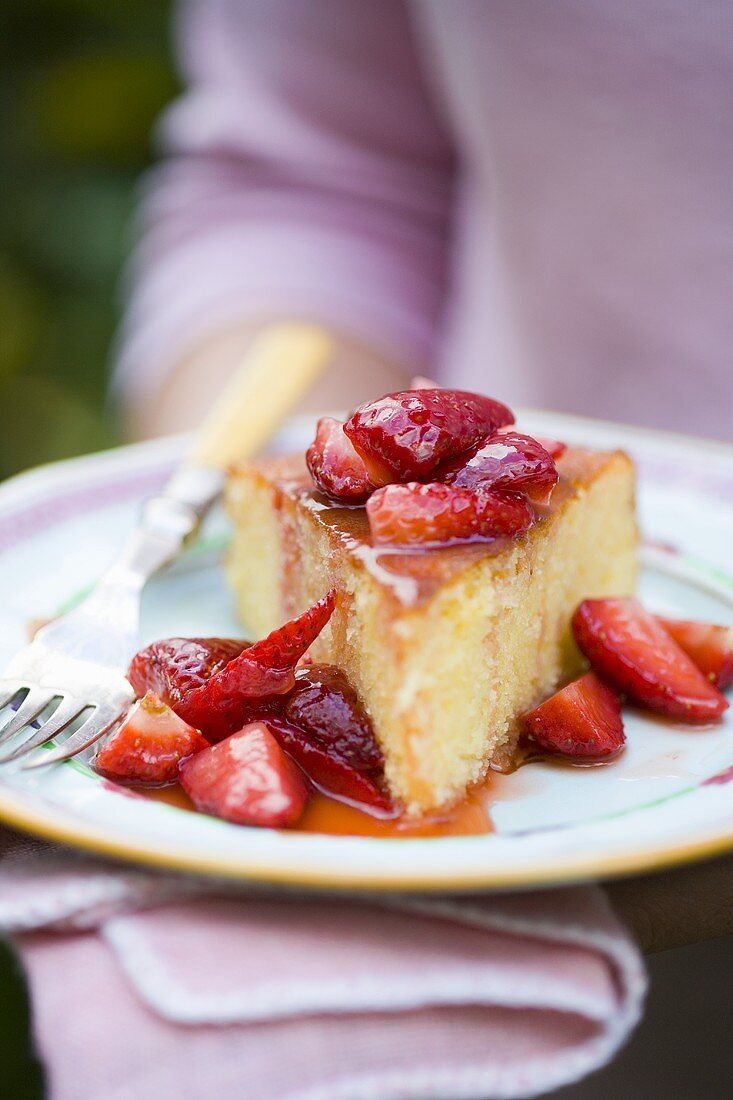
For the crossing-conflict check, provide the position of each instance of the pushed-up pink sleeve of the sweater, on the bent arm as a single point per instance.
(305, 175)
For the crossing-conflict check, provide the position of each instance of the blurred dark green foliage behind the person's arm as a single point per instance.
(82, 83)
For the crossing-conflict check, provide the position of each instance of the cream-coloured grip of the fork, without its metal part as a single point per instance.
(283, 364)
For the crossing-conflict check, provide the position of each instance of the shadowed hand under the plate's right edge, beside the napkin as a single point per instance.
(676, 908)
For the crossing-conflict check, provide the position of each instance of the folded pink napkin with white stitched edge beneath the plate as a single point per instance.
(146, 986)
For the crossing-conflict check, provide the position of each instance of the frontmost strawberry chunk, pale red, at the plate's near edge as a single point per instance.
(246, 779)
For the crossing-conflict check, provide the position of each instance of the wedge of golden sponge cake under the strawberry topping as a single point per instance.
(448, 646)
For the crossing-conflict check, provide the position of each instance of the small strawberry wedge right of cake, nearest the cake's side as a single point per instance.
(582, 721)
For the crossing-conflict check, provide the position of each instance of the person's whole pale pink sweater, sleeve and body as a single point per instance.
(530, 199)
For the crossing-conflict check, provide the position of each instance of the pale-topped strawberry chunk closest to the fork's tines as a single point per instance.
(149, 745)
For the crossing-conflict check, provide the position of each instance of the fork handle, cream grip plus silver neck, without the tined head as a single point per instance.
(282, 365)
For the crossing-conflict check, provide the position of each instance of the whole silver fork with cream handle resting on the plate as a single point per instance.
(73, 674)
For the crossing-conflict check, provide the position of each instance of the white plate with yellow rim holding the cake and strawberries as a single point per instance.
(668, 800)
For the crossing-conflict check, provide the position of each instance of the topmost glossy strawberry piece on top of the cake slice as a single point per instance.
(404, 436)
